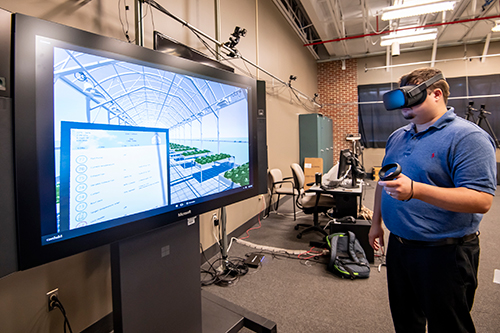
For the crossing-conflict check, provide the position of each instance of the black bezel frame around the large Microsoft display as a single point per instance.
(32, 148)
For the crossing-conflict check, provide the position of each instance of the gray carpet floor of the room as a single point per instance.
(301, 296)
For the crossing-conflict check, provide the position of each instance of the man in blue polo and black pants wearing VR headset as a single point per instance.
(433, 208)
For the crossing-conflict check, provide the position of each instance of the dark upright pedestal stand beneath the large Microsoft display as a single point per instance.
(156, 281)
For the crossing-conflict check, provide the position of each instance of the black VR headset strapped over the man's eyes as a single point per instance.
(408, 96)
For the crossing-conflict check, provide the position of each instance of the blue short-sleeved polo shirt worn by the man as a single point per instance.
(453, 152)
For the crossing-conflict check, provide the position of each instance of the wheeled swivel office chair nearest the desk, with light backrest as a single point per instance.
(307, 201)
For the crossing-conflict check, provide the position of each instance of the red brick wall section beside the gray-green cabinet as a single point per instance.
(338, 93)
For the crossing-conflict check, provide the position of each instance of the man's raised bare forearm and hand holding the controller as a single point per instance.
(459, 199)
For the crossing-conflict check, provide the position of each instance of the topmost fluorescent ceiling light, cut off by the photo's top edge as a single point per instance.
(416, 8)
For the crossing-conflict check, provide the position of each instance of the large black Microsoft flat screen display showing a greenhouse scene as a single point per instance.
(112, 139)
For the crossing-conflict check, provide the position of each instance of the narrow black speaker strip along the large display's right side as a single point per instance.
(262, 136)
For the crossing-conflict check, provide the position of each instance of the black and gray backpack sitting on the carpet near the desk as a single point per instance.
(347, 257)
